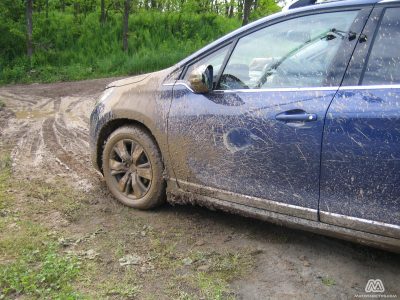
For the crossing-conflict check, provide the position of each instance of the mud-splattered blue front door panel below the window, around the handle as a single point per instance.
(234, 142)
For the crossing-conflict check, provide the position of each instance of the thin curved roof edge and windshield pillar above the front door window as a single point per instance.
(317, 6)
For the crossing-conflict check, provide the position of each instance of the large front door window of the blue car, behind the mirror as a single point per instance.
(294, 53)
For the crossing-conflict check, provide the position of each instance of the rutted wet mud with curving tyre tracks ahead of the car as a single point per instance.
(50, 133)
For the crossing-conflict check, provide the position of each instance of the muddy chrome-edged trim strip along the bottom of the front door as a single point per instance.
(283, 208)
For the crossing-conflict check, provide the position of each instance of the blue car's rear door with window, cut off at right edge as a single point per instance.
(360, 174)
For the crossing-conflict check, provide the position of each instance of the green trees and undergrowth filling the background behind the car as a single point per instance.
(70, 43)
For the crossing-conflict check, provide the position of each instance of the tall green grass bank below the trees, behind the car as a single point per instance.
(76, 50)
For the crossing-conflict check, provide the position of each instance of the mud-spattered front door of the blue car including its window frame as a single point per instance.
(256, 138)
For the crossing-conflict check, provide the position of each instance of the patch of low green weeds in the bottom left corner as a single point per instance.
(40, 274)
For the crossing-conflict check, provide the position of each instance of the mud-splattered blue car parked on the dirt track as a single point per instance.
(293, 119)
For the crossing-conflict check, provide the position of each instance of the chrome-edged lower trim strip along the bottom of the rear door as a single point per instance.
(359, 224)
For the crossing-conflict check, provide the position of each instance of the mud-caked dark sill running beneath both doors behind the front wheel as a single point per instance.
(178, 196)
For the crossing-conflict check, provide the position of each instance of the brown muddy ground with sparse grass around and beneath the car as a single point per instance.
(179, 252)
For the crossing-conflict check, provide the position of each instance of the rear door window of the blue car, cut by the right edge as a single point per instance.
(383, 65)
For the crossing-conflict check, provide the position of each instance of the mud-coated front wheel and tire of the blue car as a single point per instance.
(133, 168)
